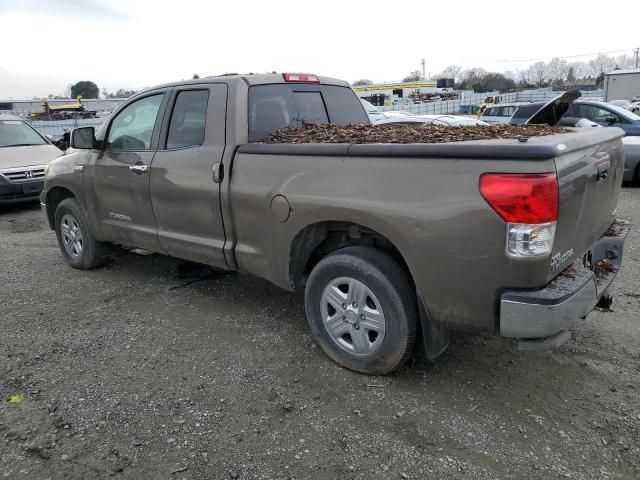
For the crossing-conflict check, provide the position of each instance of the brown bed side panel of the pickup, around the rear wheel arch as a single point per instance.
(430, 208)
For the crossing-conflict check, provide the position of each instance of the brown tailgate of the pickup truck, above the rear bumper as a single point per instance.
(590, 166)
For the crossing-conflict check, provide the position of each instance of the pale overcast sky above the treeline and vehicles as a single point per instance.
(48, 44)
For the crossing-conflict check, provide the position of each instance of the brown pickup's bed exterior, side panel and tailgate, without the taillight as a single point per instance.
(425, 199)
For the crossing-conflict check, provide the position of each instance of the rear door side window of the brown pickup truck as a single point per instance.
(188, 119)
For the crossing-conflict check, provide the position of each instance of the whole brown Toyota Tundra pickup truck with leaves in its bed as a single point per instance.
(392, 243)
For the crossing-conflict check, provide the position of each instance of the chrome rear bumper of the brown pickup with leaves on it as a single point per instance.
(572, 295)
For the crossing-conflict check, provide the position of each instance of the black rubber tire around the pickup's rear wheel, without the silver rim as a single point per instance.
(392, 289)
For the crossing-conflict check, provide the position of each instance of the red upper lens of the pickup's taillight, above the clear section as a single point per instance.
(522, 198)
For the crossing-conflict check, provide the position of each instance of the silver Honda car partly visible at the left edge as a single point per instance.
(24, 154)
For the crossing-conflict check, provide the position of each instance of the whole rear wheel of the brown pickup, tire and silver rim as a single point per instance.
(362, 310)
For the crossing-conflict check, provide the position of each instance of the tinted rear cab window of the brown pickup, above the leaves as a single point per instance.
(276, 106)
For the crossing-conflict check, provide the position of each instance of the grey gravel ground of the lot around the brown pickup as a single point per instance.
(124, 375)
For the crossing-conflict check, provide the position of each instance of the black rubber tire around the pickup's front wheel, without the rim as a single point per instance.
(88, 256)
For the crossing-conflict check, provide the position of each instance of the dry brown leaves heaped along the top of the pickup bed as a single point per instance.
(402, 133)
